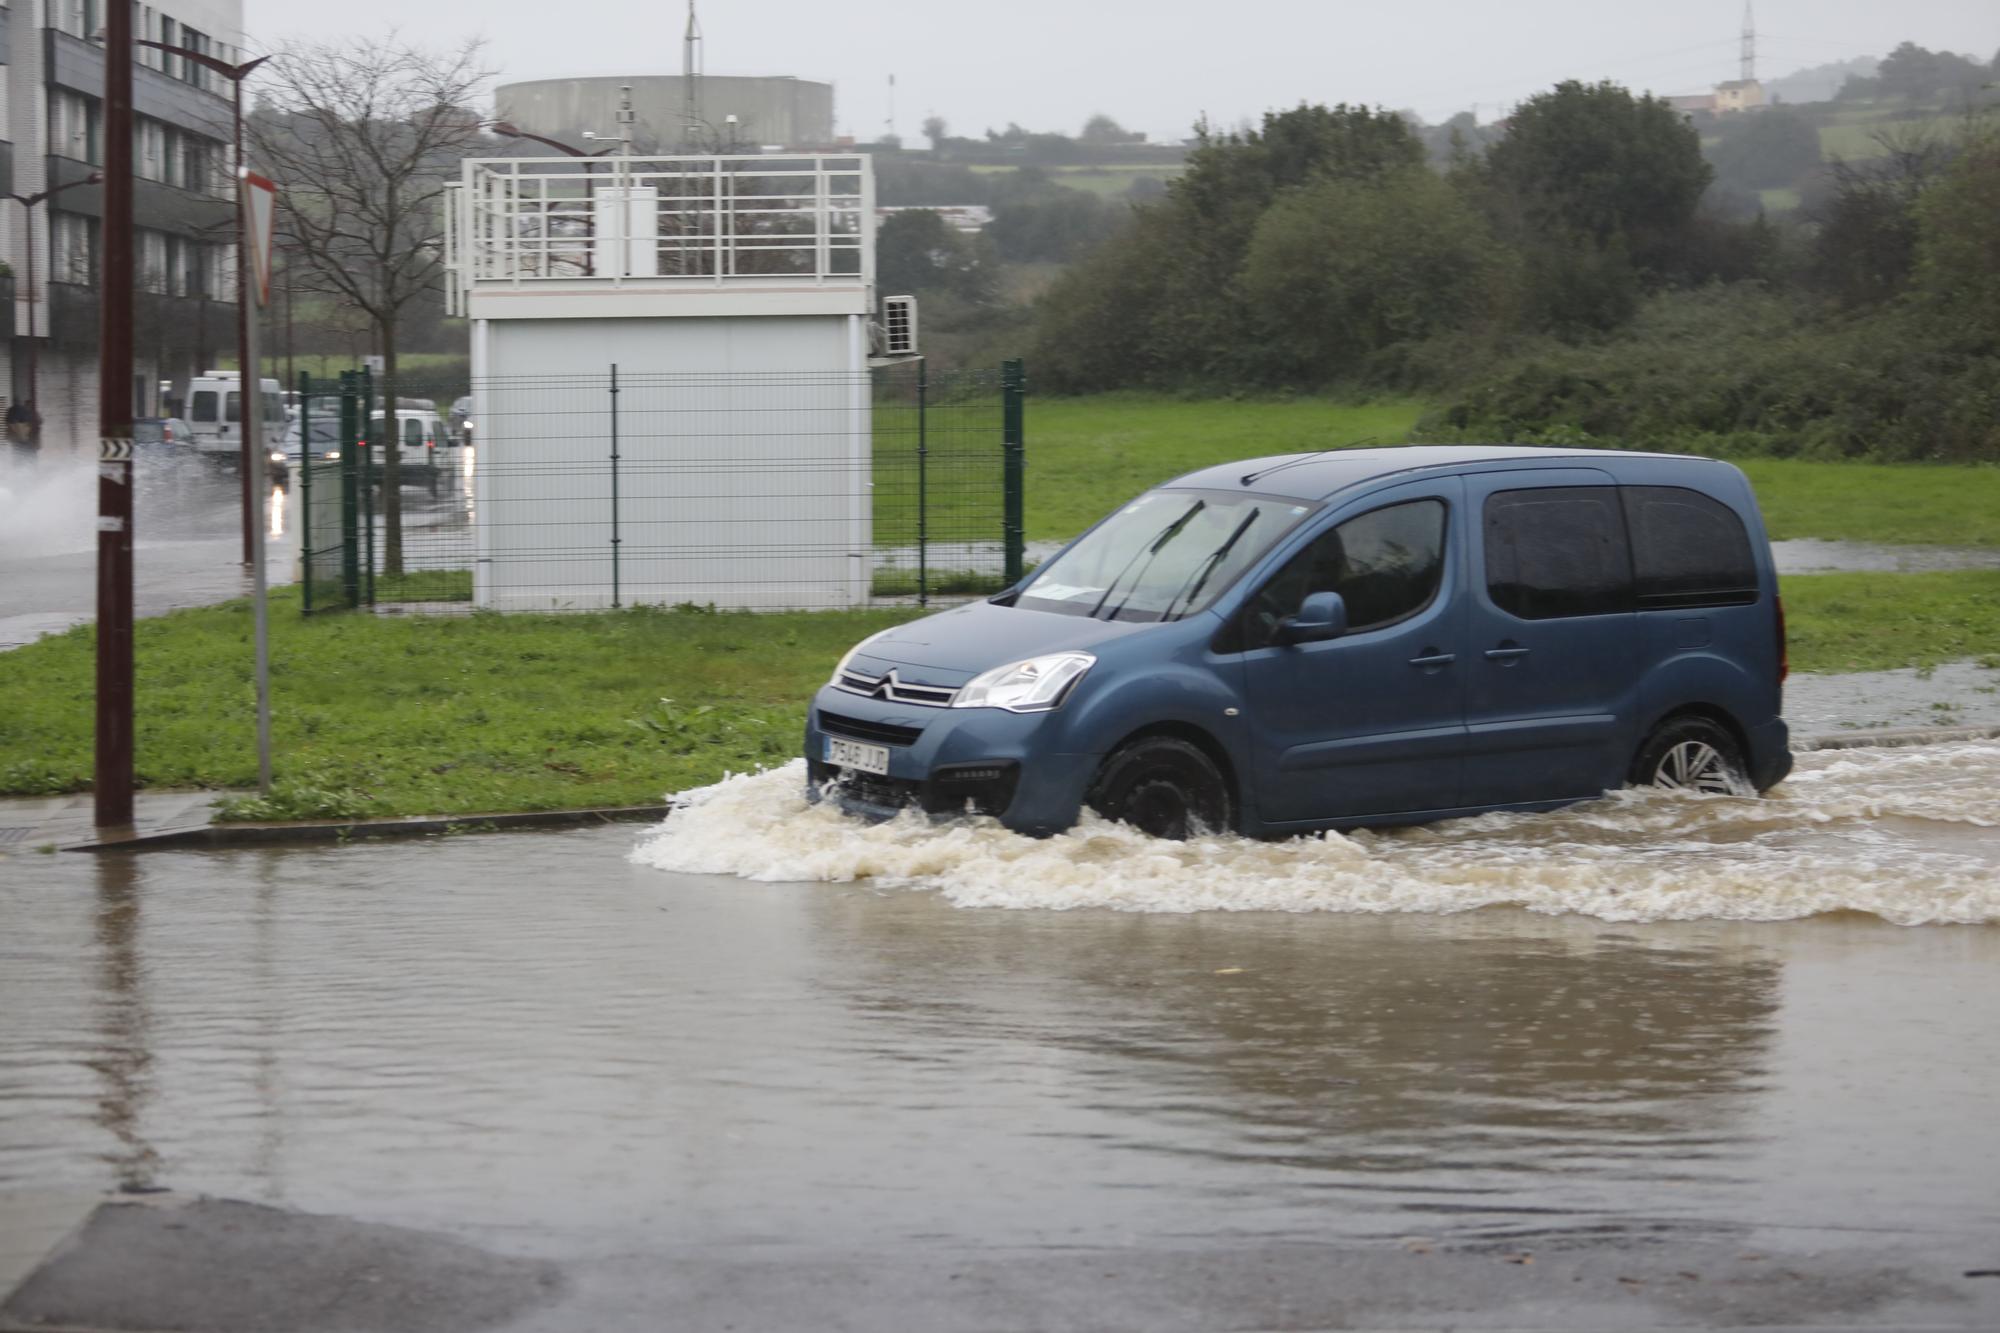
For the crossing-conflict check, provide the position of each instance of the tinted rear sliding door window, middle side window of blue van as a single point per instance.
(1557, 551)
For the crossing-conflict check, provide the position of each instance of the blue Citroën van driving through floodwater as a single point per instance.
(1339, 639)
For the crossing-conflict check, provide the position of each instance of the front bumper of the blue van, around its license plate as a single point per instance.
(947, 764)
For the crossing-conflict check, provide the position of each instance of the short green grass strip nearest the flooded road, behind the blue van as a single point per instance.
(457, 716)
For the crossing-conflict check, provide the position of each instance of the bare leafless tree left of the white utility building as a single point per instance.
(363, 139)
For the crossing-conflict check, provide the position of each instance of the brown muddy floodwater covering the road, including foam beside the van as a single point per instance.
(1705, 1028)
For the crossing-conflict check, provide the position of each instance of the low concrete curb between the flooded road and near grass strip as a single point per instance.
(429, 826)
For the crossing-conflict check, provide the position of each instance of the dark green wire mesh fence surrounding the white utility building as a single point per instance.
(765, 491)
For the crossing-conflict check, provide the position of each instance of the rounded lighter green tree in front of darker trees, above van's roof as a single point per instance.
(1343, 269)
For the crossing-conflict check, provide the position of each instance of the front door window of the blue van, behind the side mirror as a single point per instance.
(1387, 565)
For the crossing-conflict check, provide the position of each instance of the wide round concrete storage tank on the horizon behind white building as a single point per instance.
(793, 113)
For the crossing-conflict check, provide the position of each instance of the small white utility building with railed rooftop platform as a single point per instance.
(727, 301)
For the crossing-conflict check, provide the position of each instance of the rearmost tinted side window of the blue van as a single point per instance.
(1687, 549)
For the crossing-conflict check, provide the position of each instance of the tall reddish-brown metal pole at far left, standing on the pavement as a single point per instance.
(115, 435)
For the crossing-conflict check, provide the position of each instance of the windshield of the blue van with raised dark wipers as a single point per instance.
(1163, 557)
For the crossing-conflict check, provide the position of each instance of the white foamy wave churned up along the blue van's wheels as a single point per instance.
(1851, 832)
